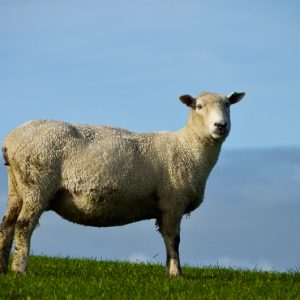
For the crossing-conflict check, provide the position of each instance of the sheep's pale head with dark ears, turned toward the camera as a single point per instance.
(212, 112)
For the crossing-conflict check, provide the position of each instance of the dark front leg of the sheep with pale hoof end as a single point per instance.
(169, 227)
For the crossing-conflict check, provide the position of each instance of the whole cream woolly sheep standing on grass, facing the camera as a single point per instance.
(104, 176)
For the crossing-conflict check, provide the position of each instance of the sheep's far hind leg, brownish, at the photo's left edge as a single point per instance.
(7, 227)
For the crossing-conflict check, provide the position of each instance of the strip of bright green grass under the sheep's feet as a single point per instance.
(58, 278)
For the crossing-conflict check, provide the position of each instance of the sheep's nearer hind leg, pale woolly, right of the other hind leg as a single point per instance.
(29, 216)
